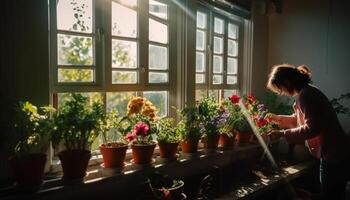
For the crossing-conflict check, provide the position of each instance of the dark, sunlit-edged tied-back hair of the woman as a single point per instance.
(290, 77)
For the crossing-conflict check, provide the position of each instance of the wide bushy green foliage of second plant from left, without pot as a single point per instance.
(77, 123)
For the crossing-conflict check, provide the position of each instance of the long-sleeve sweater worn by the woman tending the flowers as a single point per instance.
(317, 122)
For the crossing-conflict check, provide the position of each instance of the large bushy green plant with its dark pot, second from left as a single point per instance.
(77, 124)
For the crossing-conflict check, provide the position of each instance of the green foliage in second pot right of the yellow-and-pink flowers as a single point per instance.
(187, 128)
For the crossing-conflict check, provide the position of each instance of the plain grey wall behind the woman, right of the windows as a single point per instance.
(315, 33)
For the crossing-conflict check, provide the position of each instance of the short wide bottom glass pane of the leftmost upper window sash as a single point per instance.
(75, 75)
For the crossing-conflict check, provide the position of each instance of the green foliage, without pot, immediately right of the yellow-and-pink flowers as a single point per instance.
(166, 131)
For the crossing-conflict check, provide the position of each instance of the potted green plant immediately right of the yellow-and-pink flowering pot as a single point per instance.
(168, 139)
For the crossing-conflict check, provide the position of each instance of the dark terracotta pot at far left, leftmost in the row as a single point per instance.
(28, 171)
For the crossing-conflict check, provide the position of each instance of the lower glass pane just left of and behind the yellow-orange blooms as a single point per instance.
(119, 101)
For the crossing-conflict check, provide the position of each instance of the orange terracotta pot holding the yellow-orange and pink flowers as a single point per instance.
(142, 154)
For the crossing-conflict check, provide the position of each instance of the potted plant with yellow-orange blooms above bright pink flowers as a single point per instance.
(142, 126)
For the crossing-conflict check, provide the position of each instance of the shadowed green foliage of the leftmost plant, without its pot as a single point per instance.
(31, 128)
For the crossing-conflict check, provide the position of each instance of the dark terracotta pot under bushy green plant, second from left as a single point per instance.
(74, 163)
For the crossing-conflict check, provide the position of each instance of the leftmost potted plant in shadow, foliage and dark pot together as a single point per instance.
(29, 158)
